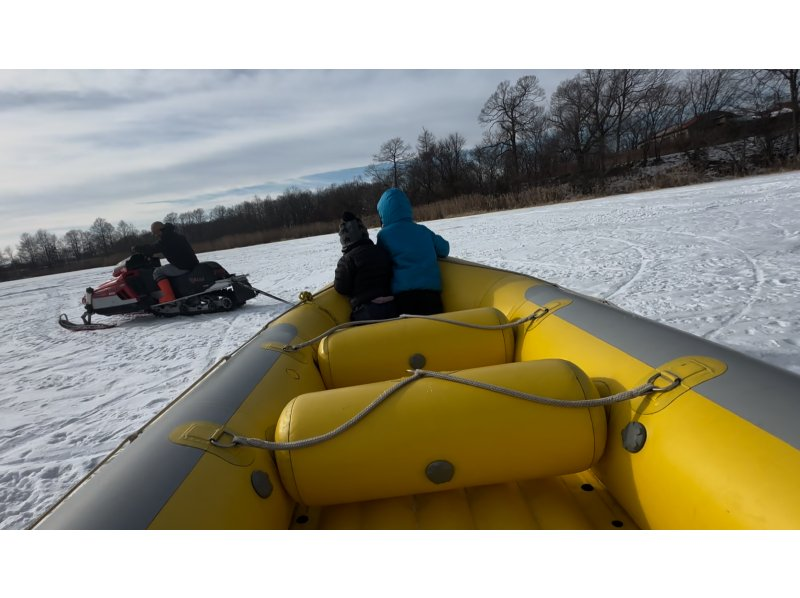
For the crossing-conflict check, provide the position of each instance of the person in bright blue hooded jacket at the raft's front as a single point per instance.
(414, 249)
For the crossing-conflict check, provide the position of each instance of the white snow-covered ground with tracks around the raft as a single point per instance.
(719, 260)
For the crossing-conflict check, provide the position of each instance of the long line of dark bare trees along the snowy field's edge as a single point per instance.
(592, 124)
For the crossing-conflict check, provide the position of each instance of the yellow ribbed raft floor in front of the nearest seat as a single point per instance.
(576, 501)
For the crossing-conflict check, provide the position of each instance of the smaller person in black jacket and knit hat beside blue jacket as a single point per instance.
(364, 272)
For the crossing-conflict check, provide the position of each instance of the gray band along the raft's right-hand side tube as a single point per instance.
(759, 392)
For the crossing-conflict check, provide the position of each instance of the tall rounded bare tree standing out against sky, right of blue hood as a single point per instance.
(510, 112)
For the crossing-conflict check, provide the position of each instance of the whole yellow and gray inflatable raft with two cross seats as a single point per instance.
(524, 406)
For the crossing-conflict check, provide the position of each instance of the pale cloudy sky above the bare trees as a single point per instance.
(135, 145)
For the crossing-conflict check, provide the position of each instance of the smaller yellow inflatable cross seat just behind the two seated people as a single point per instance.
(387, 350)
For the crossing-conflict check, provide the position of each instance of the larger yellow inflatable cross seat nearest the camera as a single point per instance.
(435, 434)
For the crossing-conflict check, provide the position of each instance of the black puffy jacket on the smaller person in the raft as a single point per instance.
(363, 273)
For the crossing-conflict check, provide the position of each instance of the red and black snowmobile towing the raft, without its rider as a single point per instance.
(207, 288)
